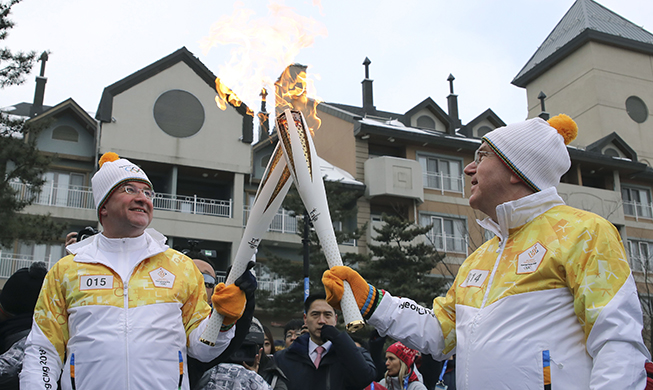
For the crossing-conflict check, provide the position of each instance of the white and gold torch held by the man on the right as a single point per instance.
(302, 161)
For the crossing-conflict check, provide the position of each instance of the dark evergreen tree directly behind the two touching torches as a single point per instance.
(342, 205)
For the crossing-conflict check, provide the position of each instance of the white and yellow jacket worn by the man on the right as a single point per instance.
(549, 303)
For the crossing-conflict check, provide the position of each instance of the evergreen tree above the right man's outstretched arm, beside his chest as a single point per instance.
(401, 265)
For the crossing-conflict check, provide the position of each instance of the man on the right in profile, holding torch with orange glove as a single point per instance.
(549, 303)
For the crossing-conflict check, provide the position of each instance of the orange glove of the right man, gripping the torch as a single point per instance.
(367, 296)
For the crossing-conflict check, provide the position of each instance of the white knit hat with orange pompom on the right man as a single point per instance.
(535, 150)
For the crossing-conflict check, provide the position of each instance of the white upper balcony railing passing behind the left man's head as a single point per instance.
(82, 198)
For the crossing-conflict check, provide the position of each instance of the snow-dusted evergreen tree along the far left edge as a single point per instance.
(20, 160)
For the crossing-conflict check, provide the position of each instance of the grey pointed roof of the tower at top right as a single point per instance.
(585, 21)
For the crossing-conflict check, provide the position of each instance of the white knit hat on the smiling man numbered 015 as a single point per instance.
(113, 172)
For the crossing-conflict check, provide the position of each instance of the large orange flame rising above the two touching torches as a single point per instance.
(262, 49)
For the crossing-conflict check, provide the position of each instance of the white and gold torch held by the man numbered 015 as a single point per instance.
(273, 188)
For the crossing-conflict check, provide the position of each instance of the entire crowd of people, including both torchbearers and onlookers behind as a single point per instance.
(548, 303)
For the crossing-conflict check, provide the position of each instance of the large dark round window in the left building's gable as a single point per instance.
(179, 113)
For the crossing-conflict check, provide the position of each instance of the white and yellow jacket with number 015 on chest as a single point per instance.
(119, 314)
